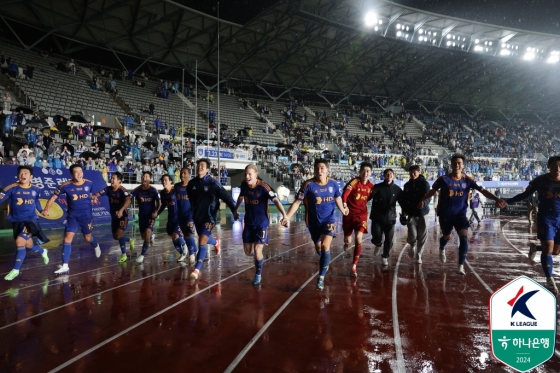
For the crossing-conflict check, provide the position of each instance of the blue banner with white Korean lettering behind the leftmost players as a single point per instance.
(48, 179)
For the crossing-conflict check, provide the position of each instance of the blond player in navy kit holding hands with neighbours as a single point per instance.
(256, 194)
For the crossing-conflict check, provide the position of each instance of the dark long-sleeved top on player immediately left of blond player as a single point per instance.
(205, 194)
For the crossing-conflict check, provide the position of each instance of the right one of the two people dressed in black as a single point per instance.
(416, 219)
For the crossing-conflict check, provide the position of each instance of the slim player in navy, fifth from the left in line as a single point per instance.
(169, 200)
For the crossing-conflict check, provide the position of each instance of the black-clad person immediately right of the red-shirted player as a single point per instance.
(383, 213)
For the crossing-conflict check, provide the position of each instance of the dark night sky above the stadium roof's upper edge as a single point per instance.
(532, 15)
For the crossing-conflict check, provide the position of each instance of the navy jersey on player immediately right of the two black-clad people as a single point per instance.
(454, 197)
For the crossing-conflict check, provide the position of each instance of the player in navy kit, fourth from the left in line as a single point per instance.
(147, 199)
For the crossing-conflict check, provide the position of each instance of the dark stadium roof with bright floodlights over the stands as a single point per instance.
(321, 46)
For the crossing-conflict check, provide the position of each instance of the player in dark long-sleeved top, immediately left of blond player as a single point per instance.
(205, 194)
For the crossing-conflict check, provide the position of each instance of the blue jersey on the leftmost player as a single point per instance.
(23, 202)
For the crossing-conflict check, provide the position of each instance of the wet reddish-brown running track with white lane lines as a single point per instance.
(111, 317)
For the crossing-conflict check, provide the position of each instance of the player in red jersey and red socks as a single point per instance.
(355, 197)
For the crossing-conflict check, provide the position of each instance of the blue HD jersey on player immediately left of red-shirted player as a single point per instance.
(319, 201)
